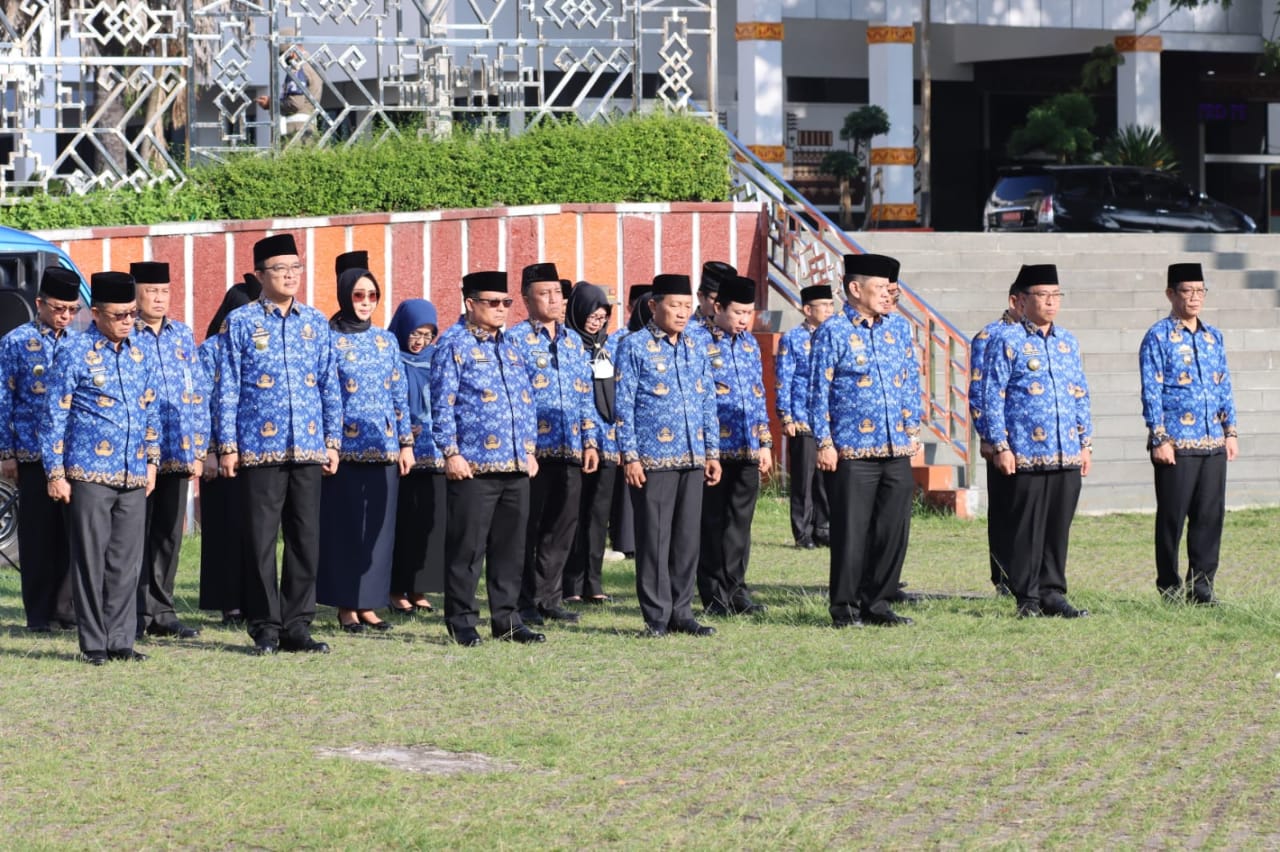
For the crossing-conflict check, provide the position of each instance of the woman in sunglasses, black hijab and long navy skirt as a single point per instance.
(358, 505)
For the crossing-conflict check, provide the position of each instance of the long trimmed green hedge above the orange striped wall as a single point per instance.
(657, 158)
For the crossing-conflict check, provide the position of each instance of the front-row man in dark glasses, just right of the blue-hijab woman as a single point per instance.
(486, 427)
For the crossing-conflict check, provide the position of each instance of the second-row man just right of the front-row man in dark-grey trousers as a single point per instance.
(746, 452)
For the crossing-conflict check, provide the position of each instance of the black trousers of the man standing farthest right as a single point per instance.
(1192, 492)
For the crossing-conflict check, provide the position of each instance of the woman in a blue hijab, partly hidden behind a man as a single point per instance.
(418, 566)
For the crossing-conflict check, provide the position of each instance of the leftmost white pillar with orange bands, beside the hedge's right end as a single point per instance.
(761, 86)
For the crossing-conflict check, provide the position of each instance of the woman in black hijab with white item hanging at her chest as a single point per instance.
(588, 314)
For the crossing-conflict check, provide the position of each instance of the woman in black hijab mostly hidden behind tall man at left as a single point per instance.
(222, 551)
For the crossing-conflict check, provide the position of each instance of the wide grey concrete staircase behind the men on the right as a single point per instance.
(1116, 290)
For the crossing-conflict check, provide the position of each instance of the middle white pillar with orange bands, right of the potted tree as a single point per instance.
(892, 71)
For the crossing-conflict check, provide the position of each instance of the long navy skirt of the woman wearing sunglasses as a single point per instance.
(358, 535)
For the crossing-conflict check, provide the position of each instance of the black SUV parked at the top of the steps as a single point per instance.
(1105, 199)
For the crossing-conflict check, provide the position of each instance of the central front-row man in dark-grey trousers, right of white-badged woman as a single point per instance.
(669, 437)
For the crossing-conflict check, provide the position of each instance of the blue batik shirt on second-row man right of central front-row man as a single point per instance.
(740, 409)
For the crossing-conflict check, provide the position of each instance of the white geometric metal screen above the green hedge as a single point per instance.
(127, 93)
